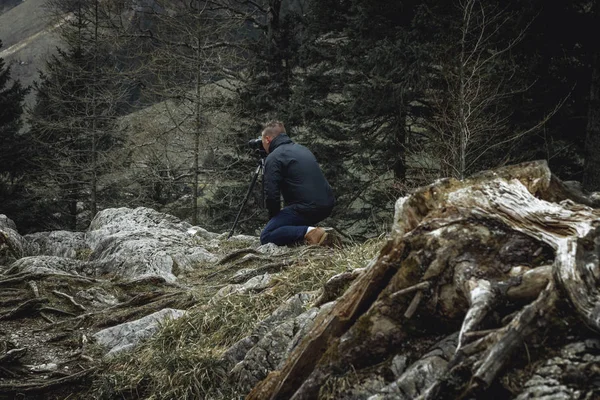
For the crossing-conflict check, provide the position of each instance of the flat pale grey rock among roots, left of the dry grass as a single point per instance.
(126, 336)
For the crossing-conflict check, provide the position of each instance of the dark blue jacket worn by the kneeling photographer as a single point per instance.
(292, 171)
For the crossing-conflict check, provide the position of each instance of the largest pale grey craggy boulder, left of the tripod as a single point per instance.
(140, 243)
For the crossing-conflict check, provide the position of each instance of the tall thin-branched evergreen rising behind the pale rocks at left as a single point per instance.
(78, 99)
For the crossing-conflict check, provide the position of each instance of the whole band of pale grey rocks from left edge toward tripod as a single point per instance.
(121, 243)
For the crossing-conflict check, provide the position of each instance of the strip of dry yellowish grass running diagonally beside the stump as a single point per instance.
(184, 361)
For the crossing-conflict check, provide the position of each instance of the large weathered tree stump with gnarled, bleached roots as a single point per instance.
(492, 258)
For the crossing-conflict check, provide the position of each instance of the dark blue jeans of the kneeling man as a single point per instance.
(289, 226)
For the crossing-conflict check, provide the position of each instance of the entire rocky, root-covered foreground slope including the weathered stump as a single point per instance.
(486, 288)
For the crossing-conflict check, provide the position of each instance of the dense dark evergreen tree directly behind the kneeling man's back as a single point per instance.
(361, 79)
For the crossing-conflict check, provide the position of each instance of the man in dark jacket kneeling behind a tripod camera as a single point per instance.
(292, 171)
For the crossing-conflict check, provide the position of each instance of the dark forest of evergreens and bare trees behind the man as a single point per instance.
(152, 103)
